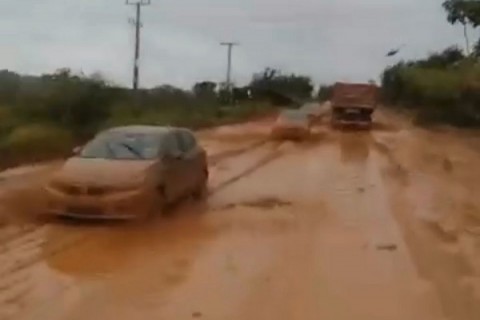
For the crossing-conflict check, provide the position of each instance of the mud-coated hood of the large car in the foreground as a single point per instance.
(104, 171)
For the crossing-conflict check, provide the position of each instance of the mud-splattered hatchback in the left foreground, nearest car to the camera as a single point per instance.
(128, 172)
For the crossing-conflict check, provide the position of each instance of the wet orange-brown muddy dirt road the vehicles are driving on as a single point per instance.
(381, 225)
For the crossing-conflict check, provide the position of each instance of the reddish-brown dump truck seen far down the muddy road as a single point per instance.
(353, 104)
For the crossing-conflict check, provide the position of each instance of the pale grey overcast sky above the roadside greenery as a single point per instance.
(327, 39)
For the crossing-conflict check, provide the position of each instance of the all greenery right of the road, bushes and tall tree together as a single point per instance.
(445, 86)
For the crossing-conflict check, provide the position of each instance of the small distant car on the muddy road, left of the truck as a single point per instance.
(291, 124)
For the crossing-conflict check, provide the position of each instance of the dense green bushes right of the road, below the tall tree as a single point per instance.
(438, 91)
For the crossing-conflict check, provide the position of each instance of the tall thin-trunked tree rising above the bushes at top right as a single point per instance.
(465, 12)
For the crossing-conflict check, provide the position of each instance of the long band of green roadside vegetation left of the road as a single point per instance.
(44, 117)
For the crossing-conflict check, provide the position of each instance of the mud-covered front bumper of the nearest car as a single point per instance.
(122, 206)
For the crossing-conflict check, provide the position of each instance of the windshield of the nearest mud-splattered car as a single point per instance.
(123, 146)
